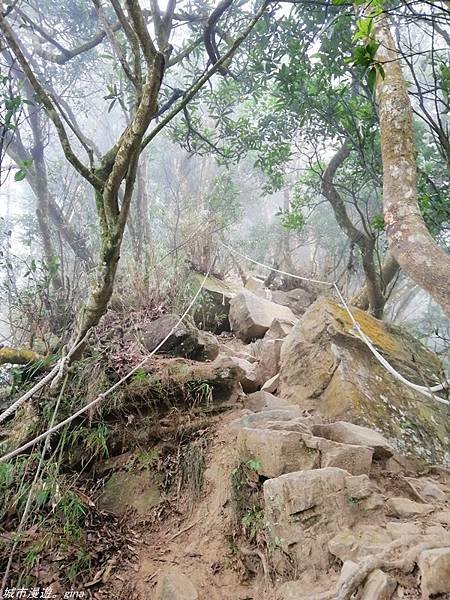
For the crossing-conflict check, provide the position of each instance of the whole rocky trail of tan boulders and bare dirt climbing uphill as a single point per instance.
(324, 479)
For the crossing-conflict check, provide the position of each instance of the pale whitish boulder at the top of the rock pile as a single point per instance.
(251, 316)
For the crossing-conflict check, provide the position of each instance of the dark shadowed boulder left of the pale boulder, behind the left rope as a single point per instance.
(186, 340)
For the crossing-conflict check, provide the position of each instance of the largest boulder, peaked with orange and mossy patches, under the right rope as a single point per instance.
(326, 367)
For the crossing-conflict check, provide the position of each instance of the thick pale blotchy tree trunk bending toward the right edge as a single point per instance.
(410, 241)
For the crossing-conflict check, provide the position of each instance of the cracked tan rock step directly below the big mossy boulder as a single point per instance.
(284, 440)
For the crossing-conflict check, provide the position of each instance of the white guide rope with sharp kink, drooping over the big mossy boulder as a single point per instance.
(426, 391)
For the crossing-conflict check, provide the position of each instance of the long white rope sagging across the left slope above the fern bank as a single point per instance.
(100, 397)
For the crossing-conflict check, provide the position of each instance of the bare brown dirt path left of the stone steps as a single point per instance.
(195, 543)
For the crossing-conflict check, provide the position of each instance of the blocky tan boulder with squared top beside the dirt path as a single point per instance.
(305, 510)
